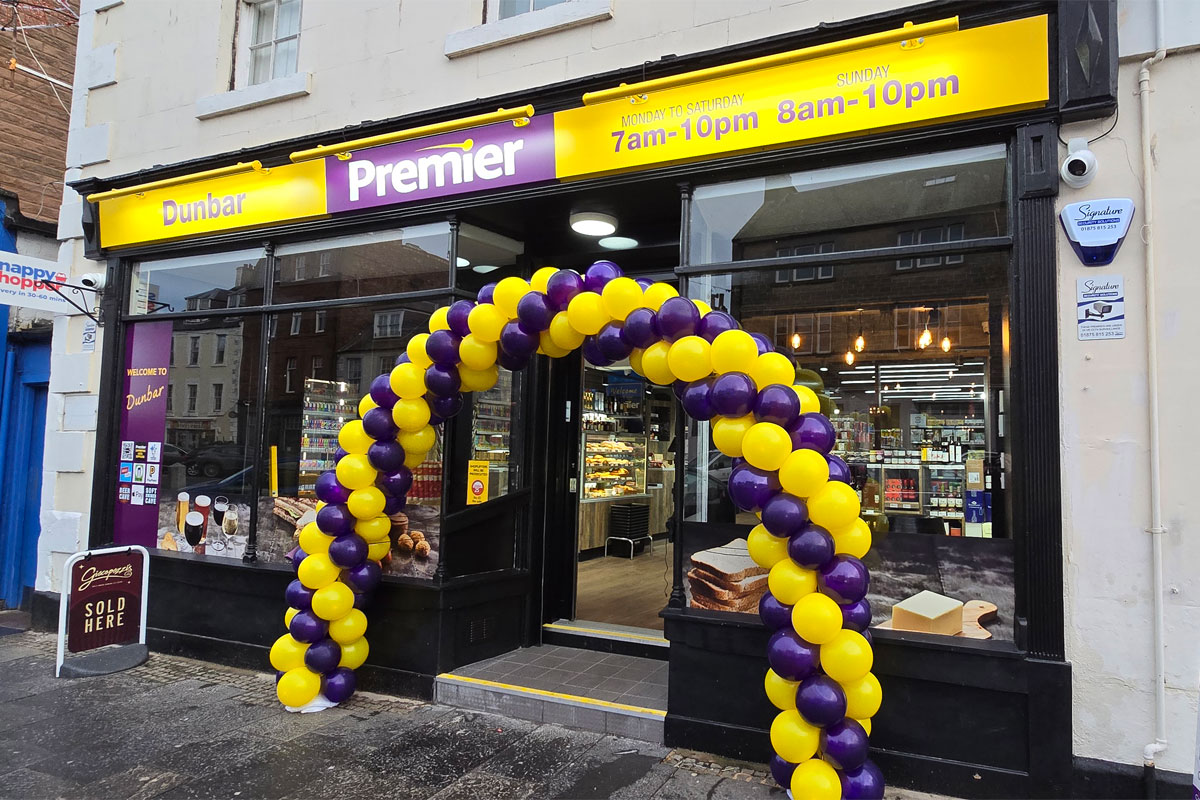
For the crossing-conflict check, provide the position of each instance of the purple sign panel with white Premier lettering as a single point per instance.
(488, 158)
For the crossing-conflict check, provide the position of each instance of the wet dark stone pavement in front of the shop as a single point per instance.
(182, 729)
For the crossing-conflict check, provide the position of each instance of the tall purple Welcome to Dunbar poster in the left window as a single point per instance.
(143, 425)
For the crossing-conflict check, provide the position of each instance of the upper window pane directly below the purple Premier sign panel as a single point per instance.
(388, 262)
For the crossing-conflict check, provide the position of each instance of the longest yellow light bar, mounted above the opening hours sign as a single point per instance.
(910, 33)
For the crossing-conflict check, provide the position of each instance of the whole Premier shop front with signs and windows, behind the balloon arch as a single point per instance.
(879, 203)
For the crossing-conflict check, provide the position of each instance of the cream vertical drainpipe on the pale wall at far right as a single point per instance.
(1156, 531)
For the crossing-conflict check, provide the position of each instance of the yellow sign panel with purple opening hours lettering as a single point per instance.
(950, 76)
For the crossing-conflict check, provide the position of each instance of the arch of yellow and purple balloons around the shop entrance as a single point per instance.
(812, 537)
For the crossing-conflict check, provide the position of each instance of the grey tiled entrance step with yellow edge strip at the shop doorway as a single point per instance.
(595, 691)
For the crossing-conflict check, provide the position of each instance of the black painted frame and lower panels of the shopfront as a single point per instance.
(991, 721)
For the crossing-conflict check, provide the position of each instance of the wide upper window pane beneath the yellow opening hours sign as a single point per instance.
(857, 207)
